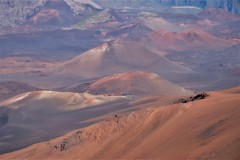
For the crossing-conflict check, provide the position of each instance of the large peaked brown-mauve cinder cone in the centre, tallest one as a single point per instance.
(117, 57)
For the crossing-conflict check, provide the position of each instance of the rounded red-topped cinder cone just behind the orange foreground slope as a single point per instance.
(136, 83)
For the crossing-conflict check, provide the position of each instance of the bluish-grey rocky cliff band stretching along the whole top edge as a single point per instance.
(16, 12)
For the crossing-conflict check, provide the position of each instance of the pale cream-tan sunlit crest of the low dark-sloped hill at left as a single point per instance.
(60, 100)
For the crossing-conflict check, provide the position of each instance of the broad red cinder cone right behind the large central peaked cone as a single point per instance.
(188, 40)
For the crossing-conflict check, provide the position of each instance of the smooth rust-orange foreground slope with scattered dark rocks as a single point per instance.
(204, 129)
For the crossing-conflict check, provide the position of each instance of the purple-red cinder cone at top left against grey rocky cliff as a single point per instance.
(61, 13)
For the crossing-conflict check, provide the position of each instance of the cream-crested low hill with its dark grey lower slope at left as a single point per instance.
(42, 115)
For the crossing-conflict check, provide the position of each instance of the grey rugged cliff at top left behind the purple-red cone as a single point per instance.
(16, 12)
